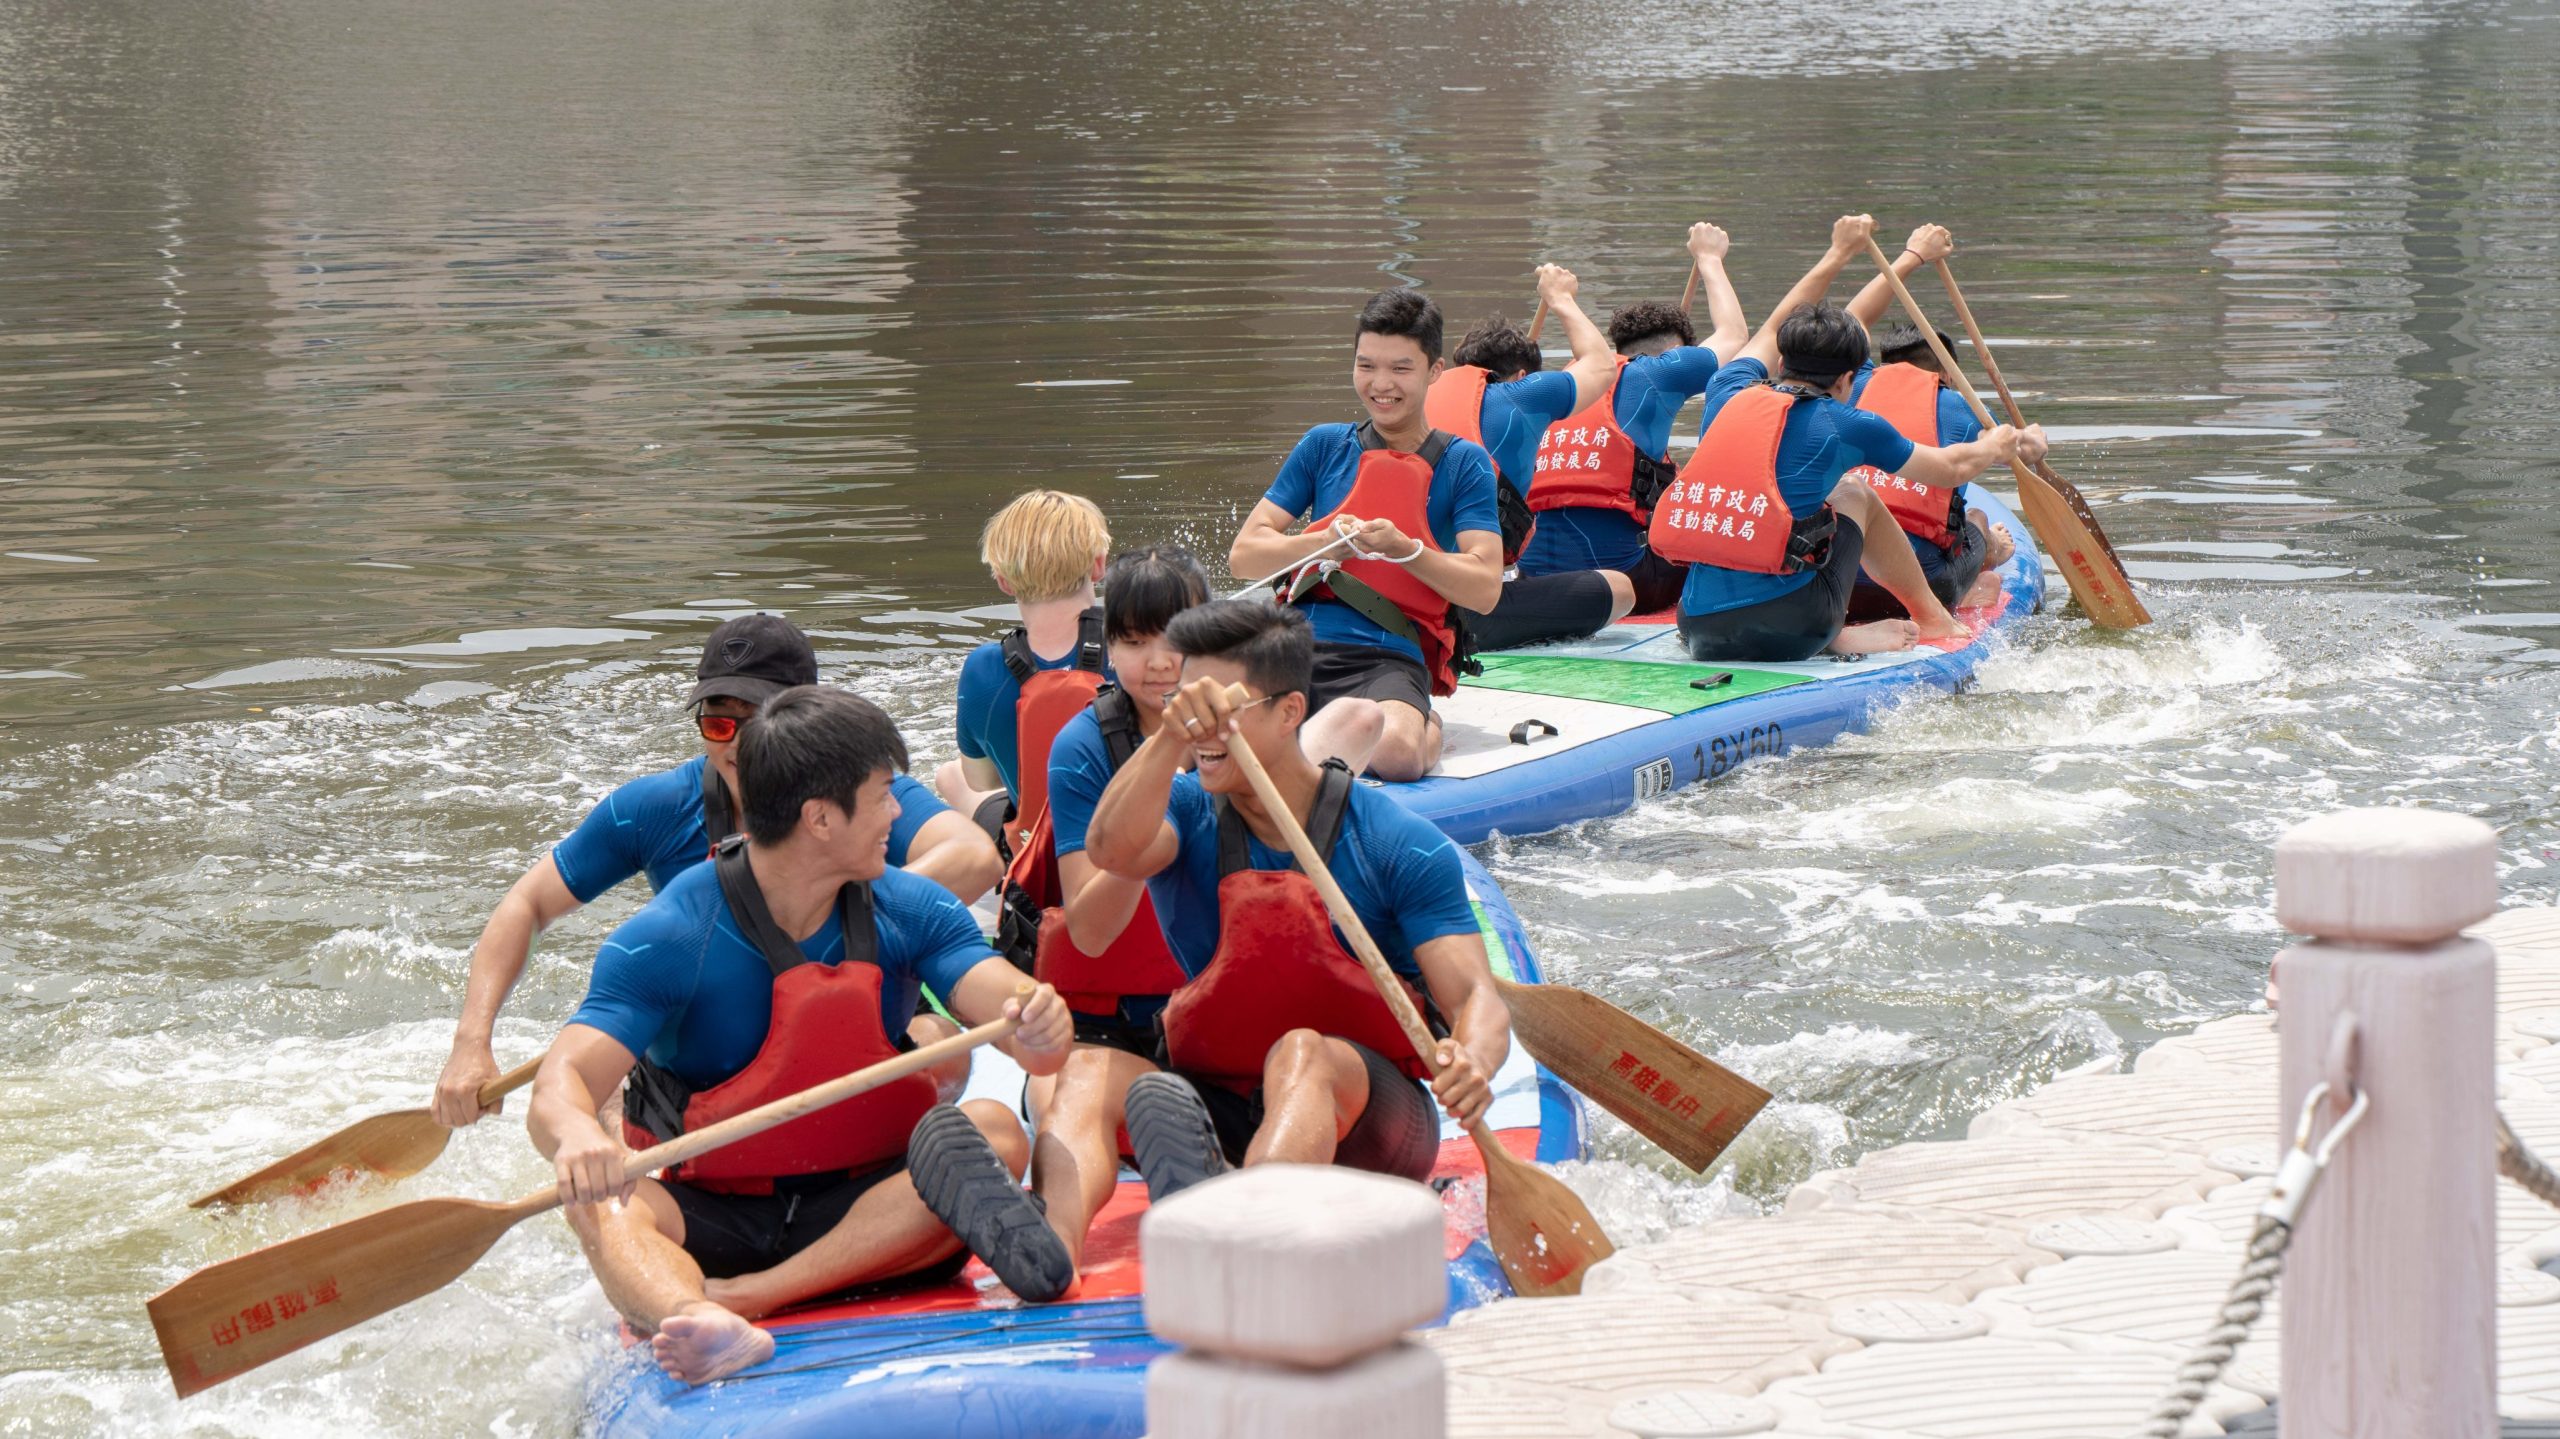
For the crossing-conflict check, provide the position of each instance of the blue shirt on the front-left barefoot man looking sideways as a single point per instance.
(682, 987)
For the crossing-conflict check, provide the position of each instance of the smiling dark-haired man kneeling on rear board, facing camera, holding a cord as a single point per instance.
(1430, 539)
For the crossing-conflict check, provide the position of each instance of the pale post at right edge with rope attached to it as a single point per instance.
(2390, 1325)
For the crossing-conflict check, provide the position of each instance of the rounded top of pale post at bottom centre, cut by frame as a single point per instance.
(1292, 1292)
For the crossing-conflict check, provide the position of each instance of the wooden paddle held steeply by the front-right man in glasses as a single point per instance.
(1540, 1230)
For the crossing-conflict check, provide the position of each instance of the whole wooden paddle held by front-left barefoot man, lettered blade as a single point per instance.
(239, 1315)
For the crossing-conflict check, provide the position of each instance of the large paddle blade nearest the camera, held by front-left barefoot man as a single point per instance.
(239, 1315)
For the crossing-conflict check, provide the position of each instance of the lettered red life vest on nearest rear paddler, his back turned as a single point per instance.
(1727, 508)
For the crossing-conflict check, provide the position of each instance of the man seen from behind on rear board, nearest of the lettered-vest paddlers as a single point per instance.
(1765, 513)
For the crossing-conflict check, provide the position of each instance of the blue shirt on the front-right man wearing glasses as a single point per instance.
(1399, 872)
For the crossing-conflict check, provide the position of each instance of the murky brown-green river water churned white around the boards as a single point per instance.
(396, 396)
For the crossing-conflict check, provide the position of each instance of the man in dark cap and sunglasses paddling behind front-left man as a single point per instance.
(669, 823)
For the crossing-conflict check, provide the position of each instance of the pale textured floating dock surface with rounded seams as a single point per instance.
(2039, 1279)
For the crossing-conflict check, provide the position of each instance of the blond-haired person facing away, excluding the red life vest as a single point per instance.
(1046, 549)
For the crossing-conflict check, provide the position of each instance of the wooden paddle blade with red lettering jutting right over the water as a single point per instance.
(1665, 1089)
